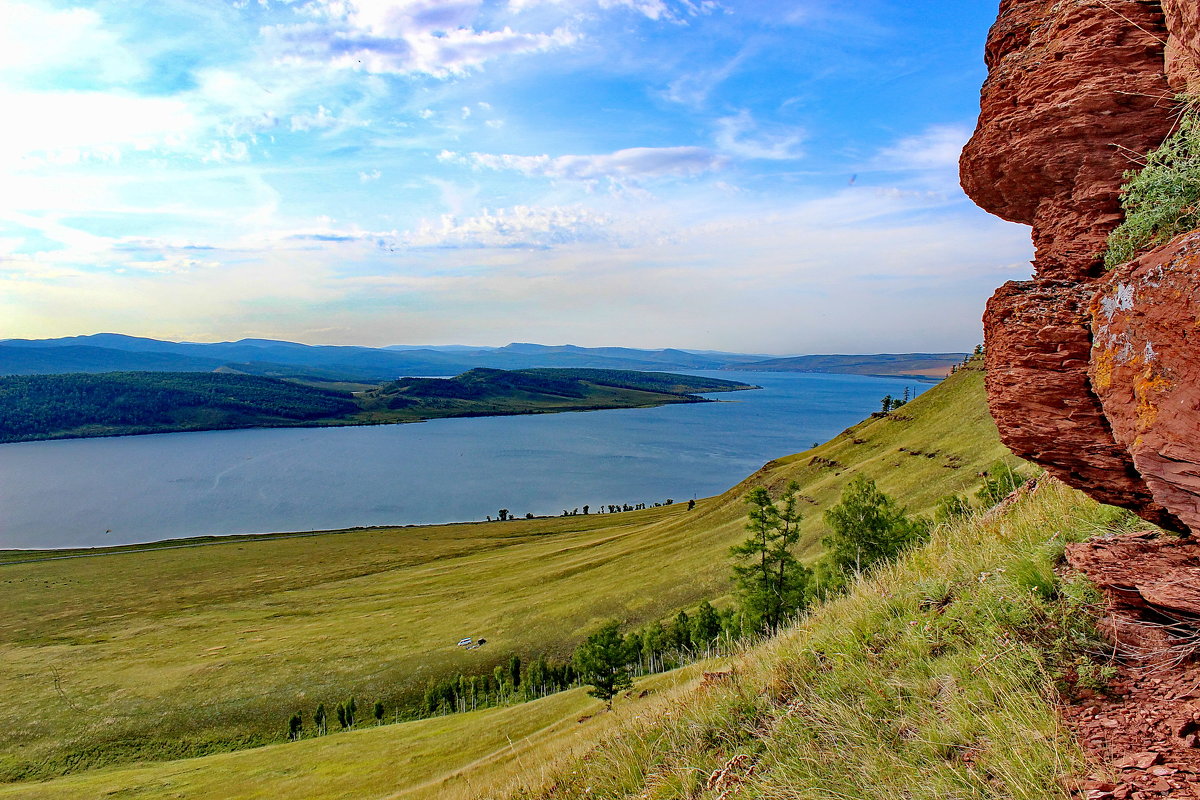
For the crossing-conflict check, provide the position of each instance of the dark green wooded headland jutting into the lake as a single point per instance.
(127, 404)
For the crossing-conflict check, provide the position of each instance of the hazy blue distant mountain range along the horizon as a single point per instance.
(271, 358)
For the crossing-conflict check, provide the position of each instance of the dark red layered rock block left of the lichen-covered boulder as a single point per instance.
(1039, 390)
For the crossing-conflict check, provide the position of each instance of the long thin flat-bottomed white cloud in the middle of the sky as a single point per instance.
(631, 165)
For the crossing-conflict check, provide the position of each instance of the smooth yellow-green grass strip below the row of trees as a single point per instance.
(445, 759)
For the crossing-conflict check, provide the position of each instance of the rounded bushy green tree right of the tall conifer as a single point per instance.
(868, 528)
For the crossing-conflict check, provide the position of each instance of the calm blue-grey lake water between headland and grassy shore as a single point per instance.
(87, 492)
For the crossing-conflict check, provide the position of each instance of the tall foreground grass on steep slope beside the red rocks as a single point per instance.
(937, 678)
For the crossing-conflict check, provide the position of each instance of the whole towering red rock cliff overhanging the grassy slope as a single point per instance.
(1077, 89)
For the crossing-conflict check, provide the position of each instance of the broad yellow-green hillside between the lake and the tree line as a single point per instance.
(171, 653)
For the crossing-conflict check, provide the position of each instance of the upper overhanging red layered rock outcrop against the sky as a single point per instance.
(1073, 89)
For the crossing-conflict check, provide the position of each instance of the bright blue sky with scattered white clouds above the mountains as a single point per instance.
(752, 176)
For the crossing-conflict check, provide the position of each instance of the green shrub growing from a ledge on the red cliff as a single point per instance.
(1163, 199)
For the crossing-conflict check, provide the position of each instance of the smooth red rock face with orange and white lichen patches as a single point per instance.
(1145, 368)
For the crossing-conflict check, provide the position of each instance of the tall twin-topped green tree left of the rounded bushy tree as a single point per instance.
(771, 581)
